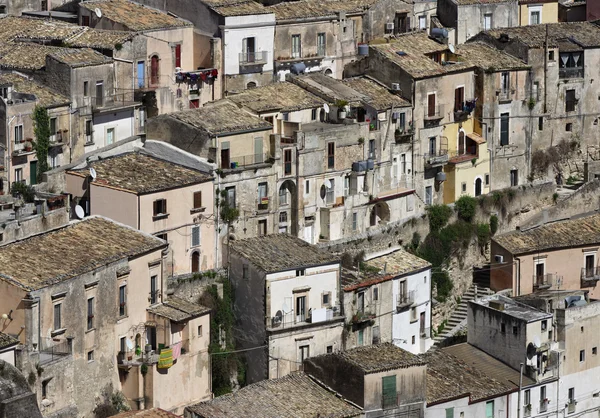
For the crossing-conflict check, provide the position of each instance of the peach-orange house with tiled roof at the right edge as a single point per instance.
(557, 255)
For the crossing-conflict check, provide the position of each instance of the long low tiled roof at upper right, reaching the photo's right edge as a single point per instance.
(585, 33)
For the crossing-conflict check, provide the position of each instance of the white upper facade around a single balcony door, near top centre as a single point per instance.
(239, 27)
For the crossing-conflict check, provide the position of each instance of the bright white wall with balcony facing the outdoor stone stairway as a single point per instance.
(403, 328)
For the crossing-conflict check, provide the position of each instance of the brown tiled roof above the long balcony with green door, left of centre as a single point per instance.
(221, 117)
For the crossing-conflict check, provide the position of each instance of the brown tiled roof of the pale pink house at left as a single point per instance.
(141, 174)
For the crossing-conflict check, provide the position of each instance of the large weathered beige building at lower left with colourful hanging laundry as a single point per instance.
(79, 297)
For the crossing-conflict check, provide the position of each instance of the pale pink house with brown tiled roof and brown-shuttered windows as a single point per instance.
(156, 196)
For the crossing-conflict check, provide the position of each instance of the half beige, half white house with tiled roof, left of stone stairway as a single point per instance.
(392, 305)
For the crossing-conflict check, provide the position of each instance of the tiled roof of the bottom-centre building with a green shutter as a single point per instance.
(379, 358)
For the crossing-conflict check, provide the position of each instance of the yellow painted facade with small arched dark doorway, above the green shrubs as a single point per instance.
(470, 168)
